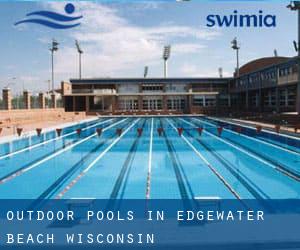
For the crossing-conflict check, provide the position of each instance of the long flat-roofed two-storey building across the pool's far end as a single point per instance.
(146, 95)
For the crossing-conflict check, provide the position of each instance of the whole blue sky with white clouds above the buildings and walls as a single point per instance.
(119, 38)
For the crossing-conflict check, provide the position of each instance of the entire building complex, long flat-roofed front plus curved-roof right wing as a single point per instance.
(264, 85)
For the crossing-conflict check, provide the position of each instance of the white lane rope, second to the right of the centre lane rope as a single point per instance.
(278, 168)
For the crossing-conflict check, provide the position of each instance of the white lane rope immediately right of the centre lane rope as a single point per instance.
(221, 178)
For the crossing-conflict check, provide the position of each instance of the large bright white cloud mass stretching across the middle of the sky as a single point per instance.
(113, 46)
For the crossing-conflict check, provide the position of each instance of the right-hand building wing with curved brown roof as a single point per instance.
(267, 84)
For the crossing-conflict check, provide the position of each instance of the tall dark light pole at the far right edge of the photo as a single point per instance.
(295, 6)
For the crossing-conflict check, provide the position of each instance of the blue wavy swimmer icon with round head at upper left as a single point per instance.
(54, 20)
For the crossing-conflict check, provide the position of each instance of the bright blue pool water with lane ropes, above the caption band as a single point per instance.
(232, 165)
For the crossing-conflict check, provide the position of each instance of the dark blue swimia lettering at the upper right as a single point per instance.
(238, 20)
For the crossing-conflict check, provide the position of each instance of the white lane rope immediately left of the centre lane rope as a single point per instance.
(92, 164)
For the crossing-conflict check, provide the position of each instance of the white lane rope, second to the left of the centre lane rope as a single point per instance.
(18, 173)
